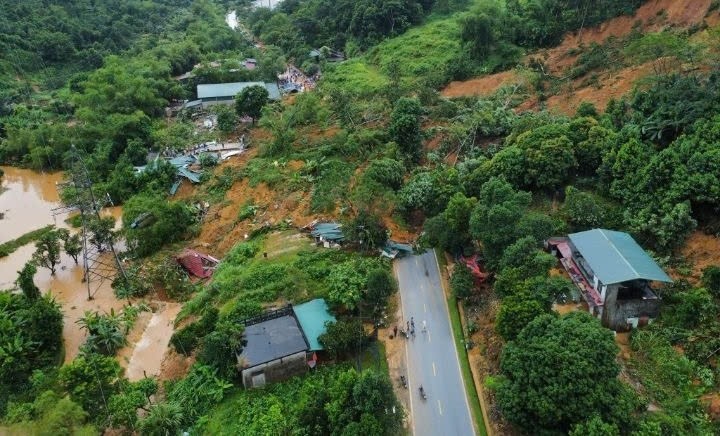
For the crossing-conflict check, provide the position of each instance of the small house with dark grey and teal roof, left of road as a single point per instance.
(282, 343)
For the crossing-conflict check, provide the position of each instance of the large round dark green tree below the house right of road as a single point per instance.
(561, 371)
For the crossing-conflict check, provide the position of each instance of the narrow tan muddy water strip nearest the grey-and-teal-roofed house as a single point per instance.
(147, 355)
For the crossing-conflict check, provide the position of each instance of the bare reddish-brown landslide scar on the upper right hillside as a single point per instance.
(590, 65)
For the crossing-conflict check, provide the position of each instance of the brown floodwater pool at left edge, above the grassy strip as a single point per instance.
(26, 200)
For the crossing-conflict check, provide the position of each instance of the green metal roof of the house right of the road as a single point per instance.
(615, 257)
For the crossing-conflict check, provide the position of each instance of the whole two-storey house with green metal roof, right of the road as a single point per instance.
(615, 276)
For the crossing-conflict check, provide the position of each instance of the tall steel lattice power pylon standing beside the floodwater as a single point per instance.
(100, 260)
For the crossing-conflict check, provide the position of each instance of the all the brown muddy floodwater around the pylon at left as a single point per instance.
(27, 199)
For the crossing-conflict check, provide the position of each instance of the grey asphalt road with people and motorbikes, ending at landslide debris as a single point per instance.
(432, 359)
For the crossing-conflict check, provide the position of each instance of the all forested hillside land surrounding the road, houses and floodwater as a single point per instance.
(478, 128)
